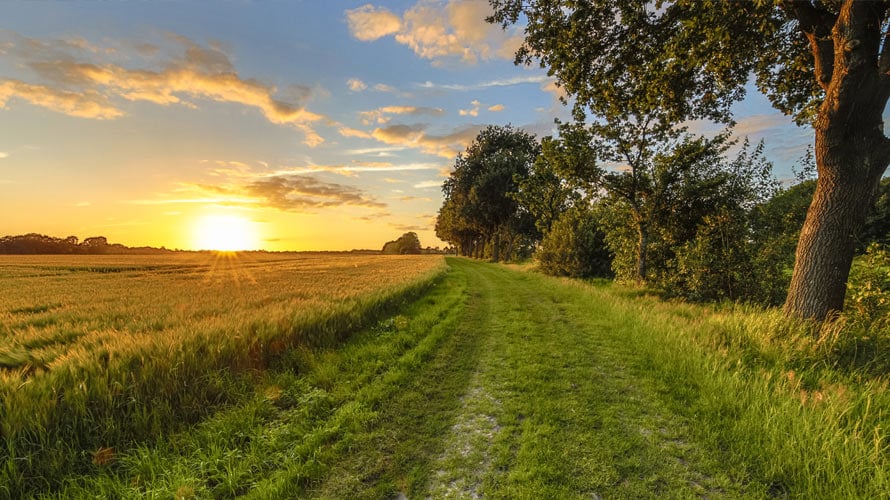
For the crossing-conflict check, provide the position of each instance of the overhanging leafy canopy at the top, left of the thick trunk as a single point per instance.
(685, 59)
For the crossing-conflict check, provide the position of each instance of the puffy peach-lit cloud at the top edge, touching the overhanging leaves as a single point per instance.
(436, 30)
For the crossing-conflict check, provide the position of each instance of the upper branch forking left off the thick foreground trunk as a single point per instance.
(816, 24)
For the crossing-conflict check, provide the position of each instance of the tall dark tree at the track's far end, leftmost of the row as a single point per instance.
(480, 214)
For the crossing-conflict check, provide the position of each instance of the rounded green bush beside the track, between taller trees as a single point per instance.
(575, 246)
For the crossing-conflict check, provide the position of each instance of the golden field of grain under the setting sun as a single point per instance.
(100, 351)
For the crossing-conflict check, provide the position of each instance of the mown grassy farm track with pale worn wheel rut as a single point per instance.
(547, 408)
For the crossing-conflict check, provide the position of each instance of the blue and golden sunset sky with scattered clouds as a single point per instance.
(291, 125)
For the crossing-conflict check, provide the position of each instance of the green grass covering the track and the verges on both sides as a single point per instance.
(500, 382)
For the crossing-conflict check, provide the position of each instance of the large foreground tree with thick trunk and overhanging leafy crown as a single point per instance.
(827, 62)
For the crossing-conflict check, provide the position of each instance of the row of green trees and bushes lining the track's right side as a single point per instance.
(663, 208)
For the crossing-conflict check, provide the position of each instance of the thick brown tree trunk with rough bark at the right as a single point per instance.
(852, 153)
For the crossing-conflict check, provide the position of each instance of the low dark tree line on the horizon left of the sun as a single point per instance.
(32, 243)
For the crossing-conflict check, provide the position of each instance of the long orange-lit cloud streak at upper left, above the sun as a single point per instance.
(84, 88)
